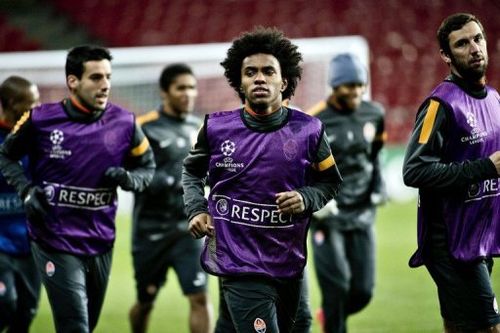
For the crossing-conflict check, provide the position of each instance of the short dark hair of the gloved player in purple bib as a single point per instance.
(79, 55)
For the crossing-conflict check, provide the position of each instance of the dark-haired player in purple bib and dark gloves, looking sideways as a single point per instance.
(80, 149)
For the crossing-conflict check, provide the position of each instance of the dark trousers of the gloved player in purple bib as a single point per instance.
(75, 287)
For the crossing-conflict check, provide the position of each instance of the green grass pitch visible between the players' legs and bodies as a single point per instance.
(404, 301)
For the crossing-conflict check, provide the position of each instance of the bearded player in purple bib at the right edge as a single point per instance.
(453, 158)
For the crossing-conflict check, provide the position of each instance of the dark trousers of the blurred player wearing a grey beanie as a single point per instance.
(345, 266)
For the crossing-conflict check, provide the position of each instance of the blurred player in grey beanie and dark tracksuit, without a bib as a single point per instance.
(343, 231)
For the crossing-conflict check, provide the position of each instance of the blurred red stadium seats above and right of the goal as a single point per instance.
(404, 61)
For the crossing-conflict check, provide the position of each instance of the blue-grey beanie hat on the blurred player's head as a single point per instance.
(346, 68)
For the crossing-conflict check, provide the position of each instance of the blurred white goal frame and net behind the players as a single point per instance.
(136, 72)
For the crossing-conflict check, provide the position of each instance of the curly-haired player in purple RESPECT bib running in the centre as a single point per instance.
(268, 168)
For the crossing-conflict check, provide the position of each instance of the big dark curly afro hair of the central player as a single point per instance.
(268, 41)
